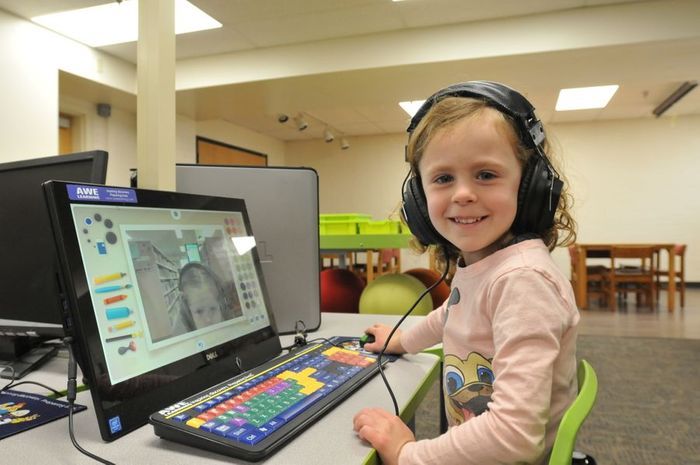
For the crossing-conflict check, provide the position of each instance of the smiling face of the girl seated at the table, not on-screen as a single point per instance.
(471, 176)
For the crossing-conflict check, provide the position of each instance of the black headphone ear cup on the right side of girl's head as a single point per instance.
(538, 197)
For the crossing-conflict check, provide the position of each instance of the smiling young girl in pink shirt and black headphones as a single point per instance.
(485, 195)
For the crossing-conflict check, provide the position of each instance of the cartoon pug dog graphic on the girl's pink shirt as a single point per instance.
(468, 386)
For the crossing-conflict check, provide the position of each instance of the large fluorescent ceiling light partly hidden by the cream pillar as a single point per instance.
(116, 23)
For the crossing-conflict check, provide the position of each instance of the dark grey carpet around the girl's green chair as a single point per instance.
(648, 407)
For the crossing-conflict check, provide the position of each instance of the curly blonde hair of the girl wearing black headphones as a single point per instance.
(446, 113)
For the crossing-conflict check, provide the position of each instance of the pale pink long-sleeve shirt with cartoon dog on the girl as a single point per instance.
(509, 337)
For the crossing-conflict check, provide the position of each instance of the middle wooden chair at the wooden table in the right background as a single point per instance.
(636, 275)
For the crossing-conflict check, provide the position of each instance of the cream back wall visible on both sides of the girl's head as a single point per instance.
(633, 180)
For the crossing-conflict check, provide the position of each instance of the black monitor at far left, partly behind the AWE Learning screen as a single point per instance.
(30, 300)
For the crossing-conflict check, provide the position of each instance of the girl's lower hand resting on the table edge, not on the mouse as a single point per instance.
(384, 431)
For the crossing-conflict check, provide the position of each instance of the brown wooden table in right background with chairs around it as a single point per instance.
(603, 251)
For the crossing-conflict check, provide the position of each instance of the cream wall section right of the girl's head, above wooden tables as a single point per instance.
(636, 181)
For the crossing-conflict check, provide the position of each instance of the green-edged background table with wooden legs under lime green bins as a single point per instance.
(368, 243)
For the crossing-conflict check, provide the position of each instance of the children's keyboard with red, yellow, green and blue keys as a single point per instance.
(254, 414)
